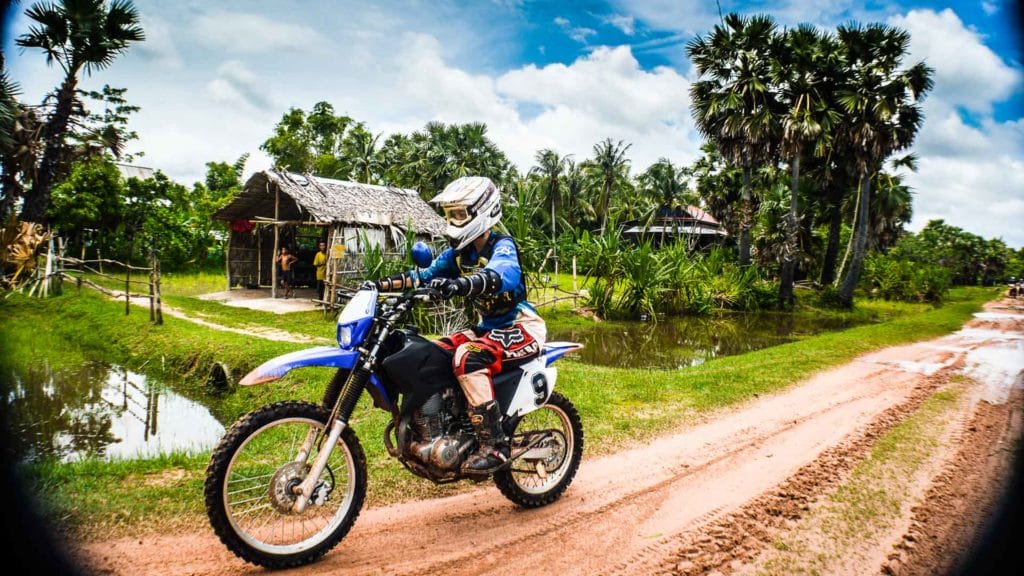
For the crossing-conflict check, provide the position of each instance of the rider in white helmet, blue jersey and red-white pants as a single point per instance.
(483, 265)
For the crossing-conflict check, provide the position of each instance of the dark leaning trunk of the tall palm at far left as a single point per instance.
(37, 201)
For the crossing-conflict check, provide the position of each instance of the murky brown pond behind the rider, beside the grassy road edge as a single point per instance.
(681, 343)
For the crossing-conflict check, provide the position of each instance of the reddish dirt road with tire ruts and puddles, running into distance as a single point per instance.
(709, 499)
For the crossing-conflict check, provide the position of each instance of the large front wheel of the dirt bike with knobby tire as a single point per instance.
(249, 485)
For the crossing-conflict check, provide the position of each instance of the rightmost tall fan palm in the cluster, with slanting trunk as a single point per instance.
(883, 116)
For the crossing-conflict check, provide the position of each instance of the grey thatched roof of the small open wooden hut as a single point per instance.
(307, 198)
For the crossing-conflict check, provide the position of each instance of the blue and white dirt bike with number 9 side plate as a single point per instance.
(287, 482)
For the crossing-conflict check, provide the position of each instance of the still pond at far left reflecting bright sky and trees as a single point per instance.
(100, 410)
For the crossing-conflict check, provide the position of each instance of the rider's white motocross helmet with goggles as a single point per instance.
(472, 204)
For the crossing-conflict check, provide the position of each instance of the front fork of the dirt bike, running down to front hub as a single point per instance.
(344, 409)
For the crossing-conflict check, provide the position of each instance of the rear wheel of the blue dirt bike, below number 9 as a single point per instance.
(552, 437)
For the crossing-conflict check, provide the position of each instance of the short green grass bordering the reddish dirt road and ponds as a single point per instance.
(619, 407)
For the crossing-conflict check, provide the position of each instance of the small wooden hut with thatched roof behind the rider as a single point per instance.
(297, 212)
